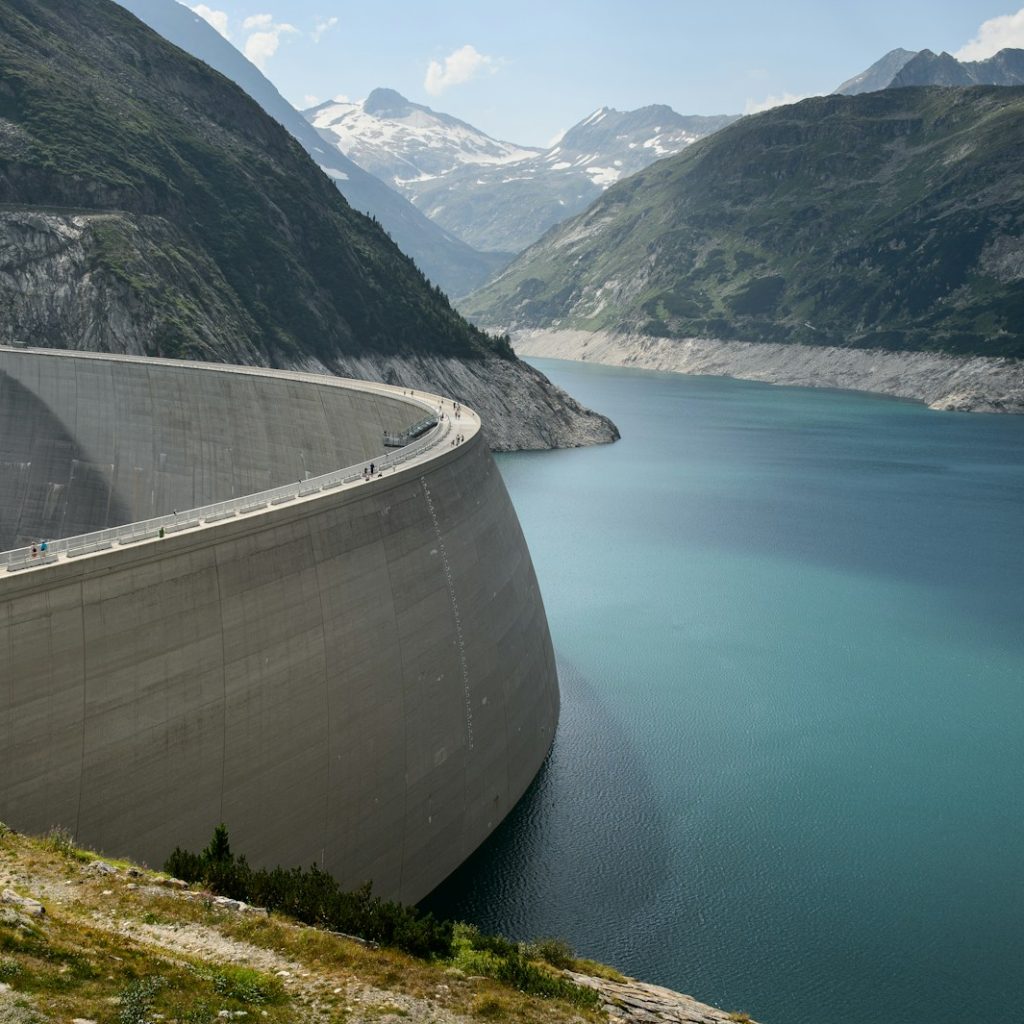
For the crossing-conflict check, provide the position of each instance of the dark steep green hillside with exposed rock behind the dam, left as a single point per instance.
(221, 236)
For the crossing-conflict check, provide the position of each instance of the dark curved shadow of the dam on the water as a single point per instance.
(590, 812)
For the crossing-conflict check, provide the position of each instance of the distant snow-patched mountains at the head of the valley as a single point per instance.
(496, 196)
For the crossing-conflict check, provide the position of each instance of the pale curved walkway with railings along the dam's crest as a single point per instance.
(31, 557)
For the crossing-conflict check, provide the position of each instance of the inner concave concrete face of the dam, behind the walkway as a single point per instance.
(88, 444)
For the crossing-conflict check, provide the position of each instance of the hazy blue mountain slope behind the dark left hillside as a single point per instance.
(445, 260)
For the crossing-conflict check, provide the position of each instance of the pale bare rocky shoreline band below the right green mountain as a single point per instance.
(976, 385)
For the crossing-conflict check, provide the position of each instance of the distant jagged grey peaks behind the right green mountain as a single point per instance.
(901, 69)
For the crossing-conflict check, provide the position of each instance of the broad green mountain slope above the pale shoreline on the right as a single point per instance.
(893, 220)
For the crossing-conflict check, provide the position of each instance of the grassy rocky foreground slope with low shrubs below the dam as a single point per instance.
(105, 942)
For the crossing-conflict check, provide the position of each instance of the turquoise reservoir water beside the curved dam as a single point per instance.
(790, 773)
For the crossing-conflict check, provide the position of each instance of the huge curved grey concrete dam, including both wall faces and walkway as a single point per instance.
(231, 623)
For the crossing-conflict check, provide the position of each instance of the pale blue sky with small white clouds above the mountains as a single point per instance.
(527, 70)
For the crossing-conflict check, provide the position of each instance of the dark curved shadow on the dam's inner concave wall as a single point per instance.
(50, 487)
